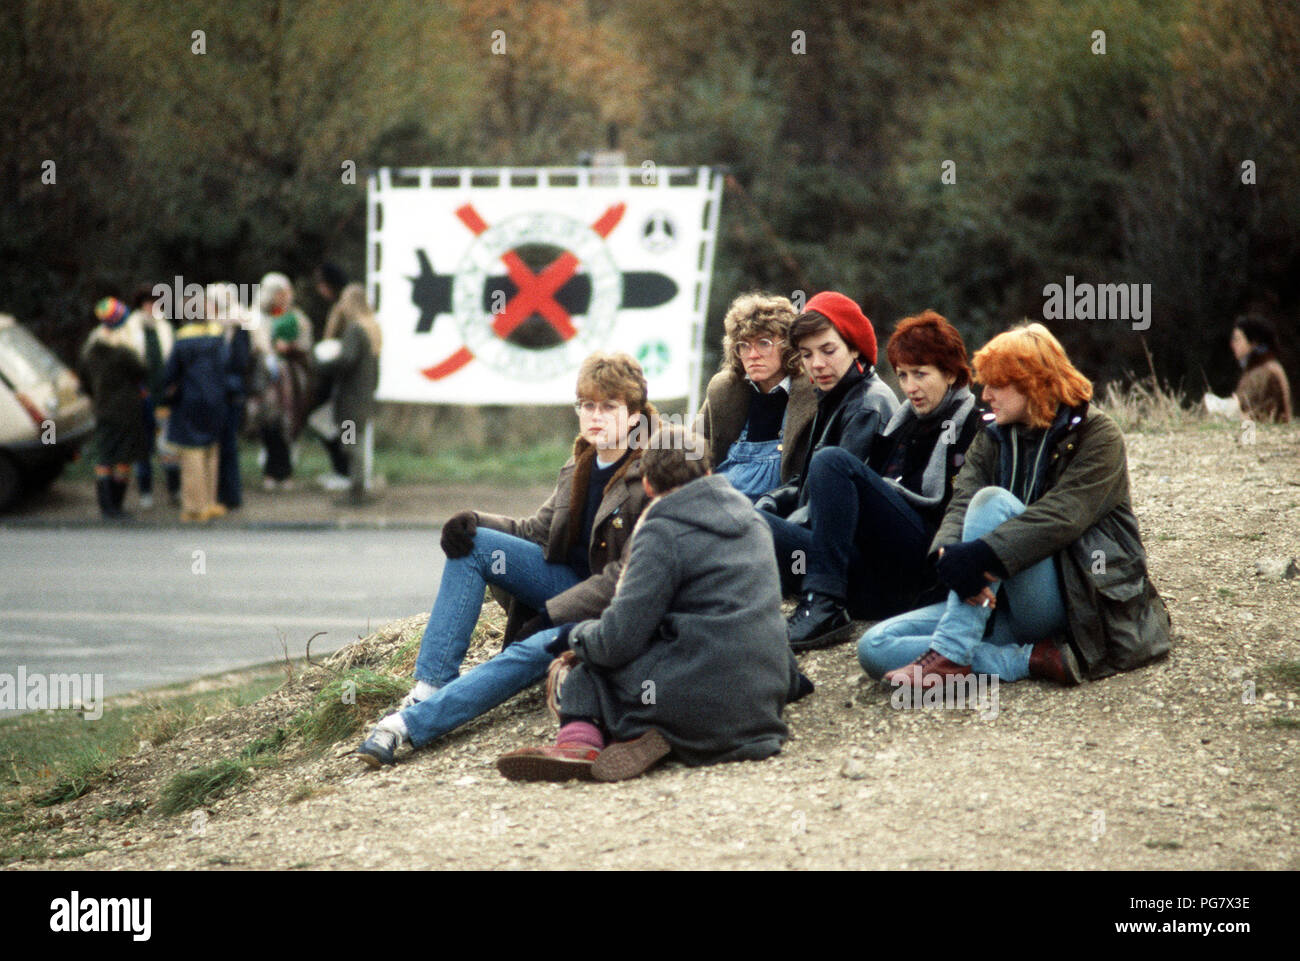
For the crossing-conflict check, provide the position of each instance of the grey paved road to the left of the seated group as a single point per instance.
(153, 607)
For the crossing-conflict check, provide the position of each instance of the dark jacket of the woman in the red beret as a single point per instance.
(850, 415)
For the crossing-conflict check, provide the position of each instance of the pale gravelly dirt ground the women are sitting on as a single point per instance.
(1188, 764)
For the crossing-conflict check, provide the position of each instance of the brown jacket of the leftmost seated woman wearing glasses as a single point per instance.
(553, 529)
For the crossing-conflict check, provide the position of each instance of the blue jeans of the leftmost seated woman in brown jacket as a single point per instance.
(519, 568)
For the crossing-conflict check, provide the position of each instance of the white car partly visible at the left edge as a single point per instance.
(45, 415)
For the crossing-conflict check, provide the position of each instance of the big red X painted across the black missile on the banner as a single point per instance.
(535, 292)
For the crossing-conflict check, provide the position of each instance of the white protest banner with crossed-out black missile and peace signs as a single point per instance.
(492, 285)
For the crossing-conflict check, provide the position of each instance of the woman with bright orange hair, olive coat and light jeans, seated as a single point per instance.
(1039, 536)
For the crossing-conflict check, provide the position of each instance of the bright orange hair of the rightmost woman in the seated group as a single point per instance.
(1033, 361)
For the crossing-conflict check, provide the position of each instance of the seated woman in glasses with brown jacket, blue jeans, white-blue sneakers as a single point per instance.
(564, 564)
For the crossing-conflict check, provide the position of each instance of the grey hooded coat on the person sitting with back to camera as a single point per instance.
(694, 643)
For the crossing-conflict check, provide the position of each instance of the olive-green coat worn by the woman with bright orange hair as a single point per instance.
(1080, 514)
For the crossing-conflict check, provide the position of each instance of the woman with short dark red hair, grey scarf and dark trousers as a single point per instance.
(872, 523)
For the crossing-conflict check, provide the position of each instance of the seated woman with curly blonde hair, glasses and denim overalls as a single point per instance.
(760, 406)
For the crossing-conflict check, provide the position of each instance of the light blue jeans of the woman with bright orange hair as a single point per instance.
(1030, 608)
